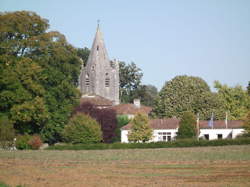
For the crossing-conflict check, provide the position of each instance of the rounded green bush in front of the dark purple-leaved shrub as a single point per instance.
(82, 129)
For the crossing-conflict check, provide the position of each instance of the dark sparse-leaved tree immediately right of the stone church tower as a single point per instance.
(130, 80)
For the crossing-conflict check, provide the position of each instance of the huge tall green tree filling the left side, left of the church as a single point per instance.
(38, 75)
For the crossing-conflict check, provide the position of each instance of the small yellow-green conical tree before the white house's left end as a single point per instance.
(140, 131)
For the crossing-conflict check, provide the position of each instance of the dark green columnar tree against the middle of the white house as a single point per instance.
(187, 128)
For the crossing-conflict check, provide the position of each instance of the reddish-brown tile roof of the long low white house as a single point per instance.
(173, 123)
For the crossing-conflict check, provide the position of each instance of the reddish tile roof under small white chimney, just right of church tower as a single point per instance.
(131, 109)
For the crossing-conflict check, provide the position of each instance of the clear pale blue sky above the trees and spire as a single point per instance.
(205, 38)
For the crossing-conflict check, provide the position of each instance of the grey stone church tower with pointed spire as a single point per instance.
(100, 76)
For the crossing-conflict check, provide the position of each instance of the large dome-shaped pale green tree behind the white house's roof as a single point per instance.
(187, 93)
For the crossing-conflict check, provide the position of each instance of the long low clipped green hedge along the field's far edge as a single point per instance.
(172, 144)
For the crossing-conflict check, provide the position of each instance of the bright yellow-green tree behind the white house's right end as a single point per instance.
(235, 100)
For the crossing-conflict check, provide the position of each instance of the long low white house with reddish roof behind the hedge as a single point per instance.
(166, 129)
